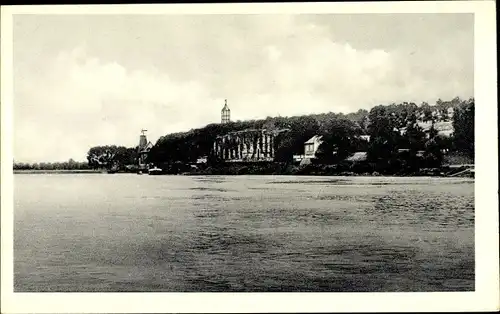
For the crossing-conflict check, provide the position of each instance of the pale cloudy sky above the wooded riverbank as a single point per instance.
(88, 80)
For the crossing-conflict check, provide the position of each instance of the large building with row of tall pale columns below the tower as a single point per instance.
(250, 145)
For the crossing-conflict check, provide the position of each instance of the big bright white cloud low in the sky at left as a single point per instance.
(83, 102)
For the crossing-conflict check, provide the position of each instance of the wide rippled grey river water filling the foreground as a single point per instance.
(124, 232)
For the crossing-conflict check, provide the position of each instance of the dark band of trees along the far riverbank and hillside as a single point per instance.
(397, 138)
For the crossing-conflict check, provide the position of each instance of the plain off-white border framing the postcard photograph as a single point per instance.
(486, 295)
